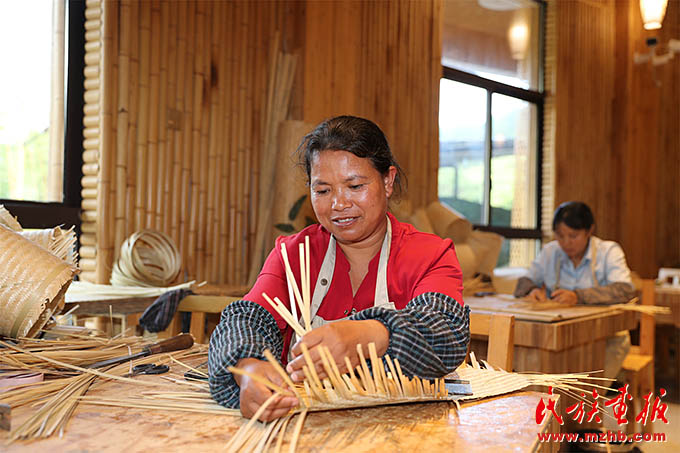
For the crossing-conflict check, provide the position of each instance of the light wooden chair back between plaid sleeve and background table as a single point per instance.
(500, 330)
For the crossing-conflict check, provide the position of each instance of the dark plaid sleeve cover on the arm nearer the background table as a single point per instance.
(429, 336)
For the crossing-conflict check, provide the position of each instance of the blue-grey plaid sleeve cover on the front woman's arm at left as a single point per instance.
(246, 329)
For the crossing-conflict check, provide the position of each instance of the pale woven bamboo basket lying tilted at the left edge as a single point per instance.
(32, 284)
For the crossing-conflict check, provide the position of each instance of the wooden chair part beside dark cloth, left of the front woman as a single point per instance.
(198, 306)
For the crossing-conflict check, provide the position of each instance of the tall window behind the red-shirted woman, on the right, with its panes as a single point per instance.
(490, 112)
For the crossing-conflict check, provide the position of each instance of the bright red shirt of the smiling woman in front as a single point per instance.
(418, 263)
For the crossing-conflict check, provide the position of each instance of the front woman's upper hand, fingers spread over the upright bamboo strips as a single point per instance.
(341, 338)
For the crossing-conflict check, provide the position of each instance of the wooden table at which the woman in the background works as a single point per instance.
(555, 339)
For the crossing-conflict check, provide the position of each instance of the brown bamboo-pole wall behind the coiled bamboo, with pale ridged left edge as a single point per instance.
(171, 94)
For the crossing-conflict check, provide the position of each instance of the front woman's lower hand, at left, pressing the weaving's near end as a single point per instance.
(253, 394)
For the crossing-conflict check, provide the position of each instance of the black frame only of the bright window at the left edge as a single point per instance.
(35, 214)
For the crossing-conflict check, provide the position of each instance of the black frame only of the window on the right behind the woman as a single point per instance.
(535, 97)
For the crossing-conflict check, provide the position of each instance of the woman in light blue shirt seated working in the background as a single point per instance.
(577, 267)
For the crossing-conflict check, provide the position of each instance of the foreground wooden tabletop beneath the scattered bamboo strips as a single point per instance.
(499, 424)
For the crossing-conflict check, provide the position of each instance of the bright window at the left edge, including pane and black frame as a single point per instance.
(41, 110)
